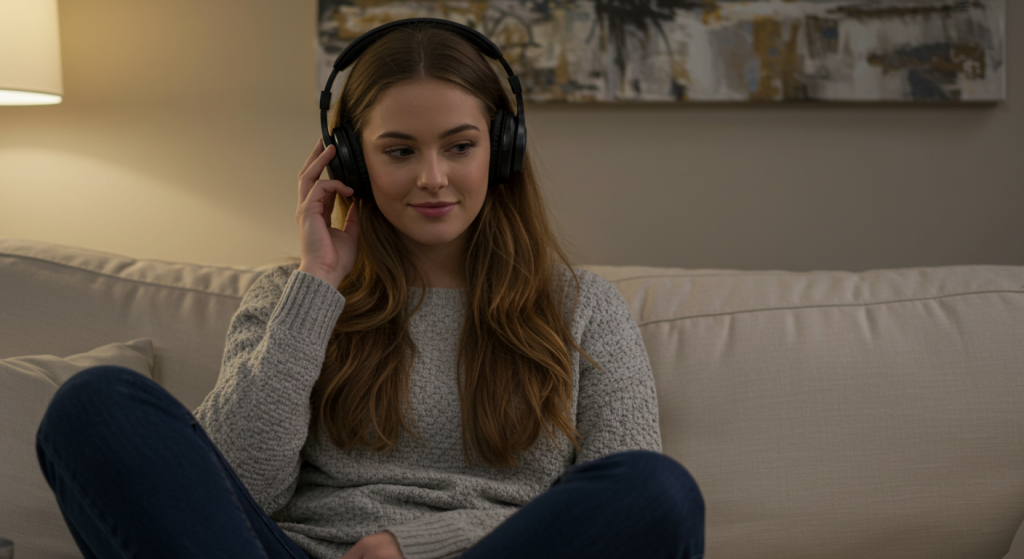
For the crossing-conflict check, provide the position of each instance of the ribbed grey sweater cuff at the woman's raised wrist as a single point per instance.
(310, 307)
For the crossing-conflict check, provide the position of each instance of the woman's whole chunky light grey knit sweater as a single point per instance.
(326, 499)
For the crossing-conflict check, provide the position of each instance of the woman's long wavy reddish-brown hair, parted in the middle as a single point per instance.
(516, 368)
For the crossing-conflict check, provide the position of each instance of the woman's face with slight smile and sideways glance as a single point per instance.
(426, 142)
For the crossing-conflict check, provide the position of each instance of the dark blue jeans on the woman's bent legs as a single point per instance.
(137, 477)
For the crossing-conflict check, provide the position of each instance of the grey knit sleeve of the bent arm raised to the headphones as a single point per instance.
(259, 413)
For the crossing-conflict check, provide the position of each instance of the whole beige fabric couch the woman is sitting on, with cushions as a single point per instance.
(825, 414)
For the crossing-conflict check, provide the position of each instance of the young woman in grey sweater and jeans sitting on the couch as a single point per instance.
(433, 380)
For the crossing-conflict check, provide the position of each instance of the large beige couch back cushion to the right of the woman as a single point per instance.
(842, 415)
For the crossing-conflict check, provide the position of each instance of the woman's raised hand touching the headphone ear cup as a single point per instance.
(328, 253)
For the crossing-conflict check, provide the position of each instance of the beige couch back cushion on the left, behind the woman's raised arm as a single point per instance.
(62, 300)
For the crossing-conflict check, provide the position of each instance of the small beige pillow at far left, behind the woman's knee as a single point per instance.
(29, 512)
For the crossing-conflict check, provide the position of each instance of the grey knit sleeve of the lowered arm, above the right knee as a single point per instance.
(617, 409)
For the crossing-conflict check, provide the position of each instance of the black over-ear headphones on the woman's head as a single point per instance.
(508, 133)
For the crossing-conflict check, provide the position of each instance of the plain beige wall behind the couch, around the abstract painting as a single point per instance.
(186, 123)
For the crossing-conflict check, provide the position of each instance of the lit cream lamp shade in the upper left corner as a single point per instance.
(30, 53)
